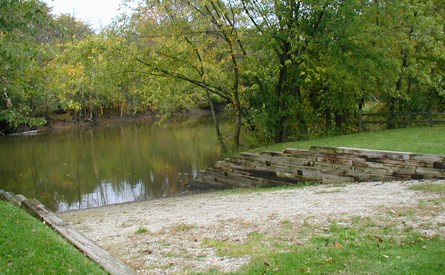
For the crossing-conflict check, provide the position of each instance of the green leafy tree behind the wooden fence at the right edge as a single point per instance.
(415, 36)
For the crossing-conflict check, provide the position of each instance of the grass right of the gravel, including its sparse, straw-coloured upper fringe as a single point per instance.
(386, 244)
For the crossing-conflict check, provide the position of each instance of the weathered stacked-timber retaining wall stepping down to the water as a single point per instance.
(320, 164)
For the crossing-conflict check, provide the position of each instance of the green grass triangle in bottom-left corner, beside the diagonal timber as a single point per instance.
(29, 247)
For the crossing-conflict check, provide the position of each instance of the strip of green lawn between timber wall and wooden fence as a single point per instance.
(429, 140)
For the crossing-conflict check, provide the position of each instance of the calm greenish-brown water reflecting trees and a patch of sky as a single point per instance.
(98, 166)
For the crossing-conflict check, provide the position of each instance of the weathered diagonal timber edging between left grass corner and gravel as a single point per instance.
(88, 247)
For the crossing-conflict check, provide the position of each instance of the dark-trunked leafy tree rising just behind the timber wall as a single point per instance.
(293, 31)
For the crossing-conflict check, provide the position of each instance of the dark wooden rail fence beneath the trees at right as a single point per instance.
(401, 118)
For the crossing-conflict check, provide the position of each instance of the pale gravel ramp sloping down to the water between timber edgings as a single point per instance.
(167, 236)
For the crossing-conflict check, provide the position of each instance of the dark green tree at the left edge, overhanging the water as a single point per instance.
(20, 62)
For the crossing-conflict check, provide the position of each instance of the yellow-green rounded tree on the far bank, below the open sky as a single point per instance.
(91, 78)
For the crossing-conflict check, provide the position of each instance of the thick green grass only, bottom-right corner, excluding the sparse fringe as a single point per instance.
(358, 250)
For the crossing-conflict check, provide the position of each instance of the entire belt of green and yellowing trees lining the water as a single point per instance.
(282, 69)
